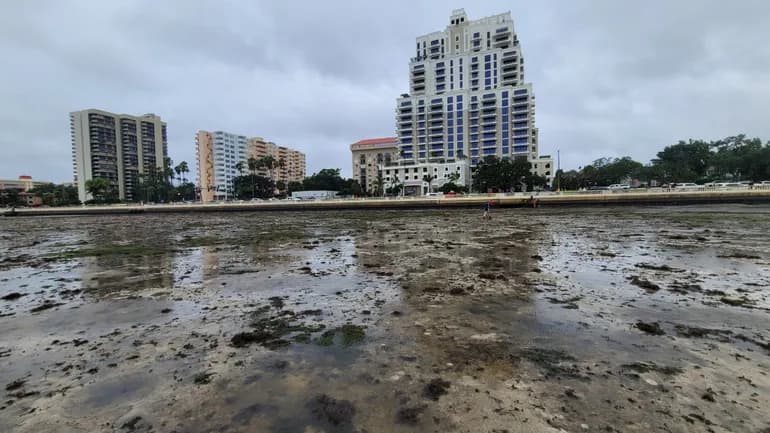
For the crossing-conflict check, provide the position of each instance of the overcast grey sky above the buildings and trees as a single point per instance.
(612, 78)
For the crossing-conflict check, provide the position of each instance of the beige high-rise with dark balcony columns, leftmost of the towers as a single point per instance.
(117, 147)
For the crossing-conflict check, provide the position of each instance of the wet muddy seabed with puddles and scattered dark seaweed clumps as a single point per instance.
(540, 320)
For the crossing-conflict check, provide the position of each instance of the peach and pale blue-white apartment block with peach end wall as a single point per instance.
(218, 155)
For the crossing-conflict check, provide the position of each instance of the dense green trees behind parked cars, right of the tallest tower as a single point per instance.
(734, 158)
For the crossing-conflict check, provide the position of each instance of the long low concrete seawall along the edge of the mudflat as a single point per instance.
(475, 201)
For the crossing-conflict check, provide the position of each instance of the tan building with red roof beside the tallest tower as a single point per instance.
(370, 156)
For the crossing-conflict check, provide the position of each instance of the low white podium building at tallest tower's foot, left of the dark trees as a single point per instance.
(412, 175)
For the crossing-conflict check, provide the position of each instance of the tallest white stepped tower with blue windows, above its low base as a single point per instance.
(468, 97)
